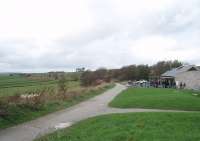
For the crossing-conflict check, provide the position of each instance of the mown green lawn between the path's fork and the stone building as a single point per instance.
(157, 98)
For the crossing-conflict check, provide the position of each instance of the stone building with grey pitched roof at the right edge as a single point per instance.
(189, 74)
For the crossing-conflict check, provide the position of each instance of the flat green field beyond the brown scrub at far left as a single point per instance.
(11, 85)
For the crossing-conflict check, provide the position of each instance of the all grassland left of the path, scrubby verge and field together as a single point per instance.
(19, 110)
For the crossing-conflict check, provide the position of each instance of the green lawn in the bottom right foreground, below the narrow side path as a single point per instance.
(132, 127)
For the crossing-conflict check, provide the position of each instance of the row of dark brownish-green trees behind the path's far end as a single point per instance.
(131, 72)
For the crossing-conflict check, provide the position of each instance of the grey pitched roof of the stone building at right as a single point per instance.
(175, 71)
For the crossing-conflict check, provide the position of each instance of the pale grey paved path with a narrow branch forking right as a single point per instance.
(93, 107)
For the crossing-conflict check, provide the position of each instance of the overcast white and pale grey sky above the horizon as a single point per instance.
(46, 35)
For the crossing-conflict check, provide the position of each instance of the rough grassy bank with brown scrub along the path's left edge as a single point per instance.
(19, 112)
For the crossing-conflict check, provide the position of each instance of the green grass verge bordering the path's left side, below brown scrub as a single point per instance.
(20, 114)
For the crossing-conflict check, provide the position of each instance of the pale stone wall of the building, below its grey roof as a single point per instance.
(190, 78)
